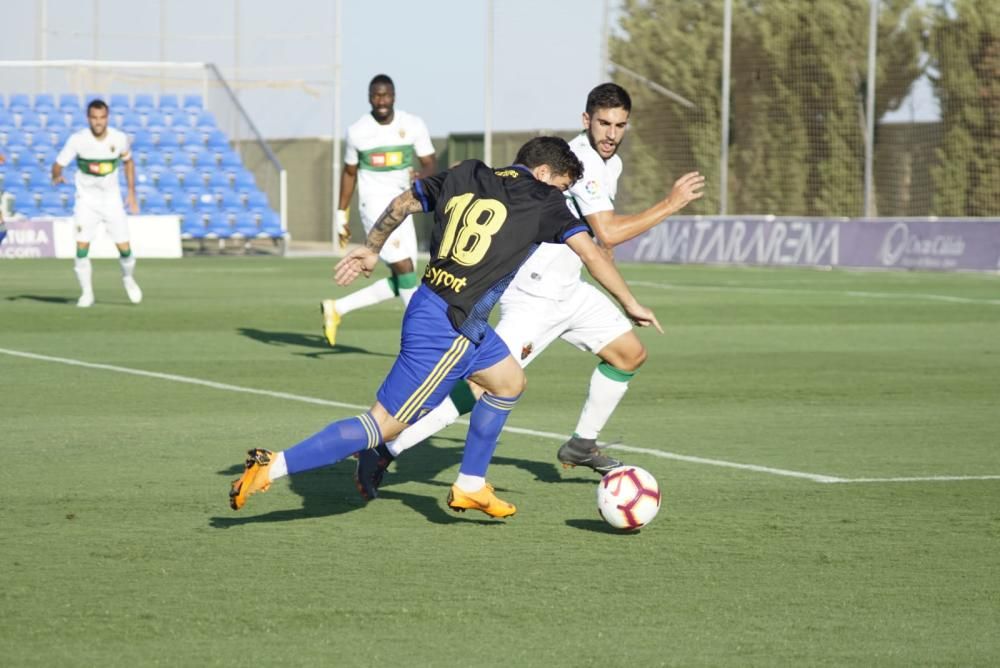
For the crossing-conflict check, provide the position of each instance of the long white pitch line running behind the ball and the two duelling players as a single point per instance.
(815, 477)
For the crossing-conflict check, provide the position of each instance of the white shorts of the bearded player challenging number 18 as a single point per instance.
(586, 319)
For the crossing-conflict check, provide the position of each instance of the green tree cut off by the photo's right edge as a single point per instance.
(965, 48)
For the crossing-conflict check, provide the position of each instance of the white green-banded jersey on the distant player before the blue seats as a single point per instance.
(97, 161)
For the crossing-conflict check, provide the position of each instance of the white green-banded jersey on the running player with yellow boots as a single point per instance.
(385, 156)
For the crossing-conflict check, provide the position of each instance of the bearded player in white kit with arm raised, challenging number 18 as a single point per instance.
(548, 300)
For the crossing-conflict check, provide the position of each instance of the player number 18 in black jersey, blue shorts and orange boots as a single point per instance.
(486, 223)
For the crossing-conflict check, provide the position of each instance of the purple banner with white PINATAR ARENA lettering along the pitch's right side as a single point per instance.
(955, 244)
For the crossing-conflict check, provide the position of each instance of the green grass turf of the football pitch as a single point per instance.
(119, 549)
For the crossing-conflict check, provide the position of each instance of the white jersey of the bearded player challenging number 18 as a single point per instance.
(553, 271)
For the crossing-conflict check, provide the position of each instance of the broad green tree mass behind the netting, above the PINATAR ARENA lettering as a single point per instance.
(798, 77)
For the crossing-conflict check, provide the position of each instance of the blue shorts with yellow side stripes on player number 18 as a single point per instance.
(433, 357)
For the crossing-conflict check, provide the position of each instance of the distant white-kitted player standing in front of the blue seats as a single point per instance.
(99, 151)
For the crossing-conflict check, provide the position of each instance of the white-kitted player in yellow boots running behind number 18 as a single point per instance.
(379, 157)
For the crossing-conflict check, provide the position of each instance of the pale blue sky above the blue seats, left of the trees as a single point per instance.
(547, 54)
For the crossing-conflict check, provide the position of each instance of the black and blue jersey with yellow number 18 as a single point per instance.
(486, 223)
